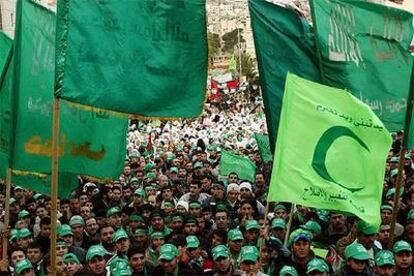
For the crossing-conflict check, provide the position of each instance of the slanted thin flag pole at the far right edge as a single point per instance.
(402, 158)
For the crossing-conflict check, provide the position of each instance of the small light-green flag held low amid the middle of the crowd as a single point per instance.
(243, 166)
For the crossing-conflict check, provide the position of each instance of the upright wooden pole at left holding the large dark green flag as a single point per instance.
(54, 186)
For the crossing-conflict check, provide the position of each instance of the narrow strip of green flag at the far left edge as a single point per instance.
(5, 91)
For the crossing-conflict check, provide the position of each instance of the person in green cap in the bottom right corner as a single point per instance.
(403, 258)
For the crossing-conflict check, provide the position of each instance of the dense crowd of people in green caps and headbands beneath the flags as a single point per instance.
(172, 213)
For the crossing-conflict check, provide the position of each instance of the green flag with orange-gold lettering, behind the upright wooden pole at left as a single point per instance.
(90, 142)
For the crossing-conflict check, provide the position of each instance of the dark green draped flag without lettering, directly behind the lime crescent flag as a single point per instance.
(284, 44)
